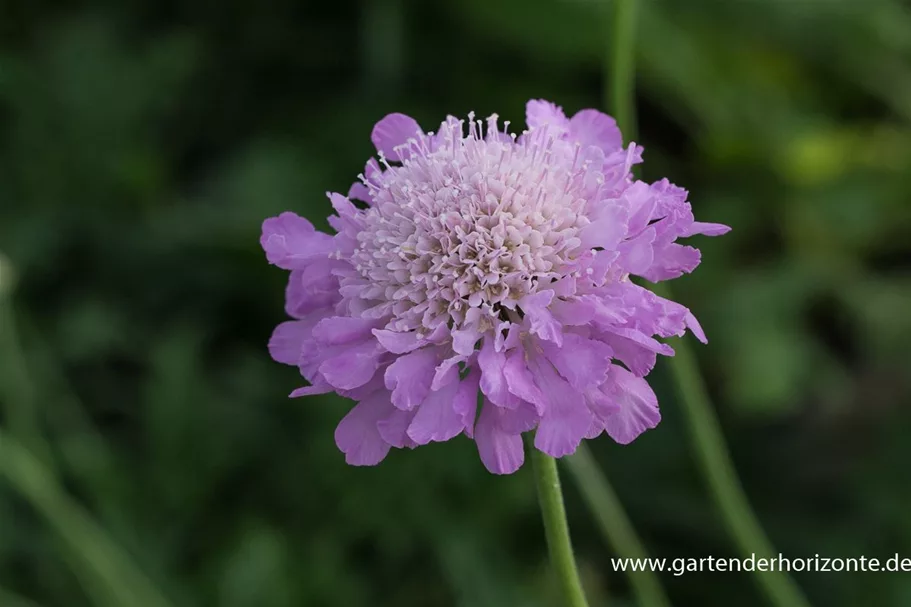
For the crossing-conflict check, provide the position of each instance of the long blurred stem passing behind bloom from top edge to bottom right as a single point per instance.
(705, 431)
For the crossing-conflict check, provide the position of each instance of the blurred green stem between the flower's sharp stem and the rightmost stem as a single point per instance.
(615, 525)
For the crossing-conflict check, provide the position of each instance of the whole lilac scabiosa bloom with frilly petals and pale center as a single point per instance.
(482, 287)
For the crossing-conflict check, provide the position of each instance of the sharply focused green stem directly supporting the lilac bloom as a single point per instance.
(556, 529)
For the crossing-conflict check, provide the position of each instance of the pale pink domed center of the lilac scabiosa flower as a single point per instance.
(469, 225)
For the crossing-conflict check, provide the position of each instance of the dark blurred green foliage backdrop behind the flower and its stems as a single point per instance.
(142, 143)
